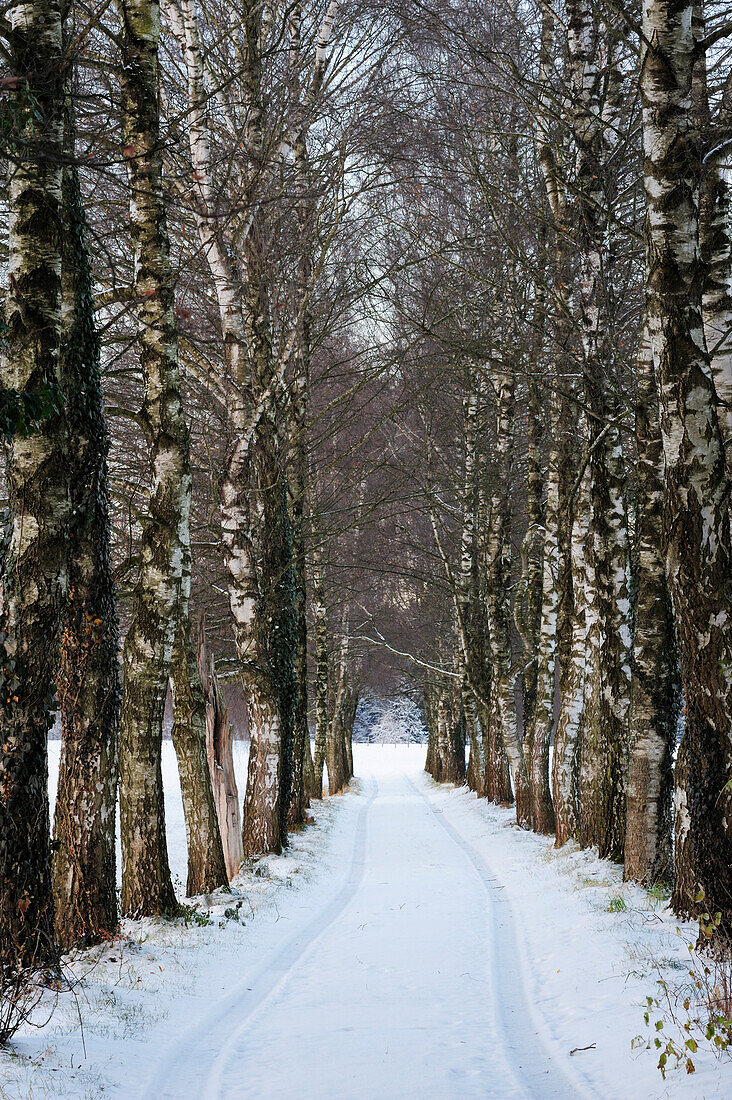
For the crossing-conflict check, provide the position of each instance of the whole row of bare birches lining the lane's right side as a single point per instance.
(583, 289)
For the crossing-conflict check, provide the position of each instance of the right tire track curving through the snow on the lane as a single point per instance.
(543, 1072)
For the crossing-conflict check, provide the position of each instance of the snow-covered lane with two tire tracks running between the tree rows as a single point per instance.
(407, 984)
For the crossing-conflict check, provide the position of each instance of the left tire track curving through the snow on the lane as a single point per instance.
(191, 1050)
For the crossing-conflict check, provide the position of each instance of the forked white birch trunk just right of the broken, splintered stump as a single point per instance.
(257, 529)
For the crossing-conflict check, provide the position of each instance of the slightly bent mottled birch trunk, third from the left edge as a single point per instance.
(147, 887)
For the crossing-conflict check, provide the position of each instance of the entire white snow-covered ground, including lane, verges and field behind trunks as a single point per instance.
(412, 944)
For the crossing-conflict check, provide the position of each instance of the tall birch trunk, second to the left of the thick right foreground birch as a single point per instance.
(595, 118)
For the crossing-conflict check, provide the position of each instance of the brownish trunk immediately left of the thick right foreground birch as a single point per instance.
(655, 696)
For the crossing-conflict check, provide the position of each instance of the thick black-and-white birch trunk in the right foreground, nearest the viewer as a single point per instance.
(700, 559)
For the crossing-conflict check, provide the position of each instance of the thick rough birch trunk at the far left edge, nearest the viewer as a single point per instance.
(35, 582)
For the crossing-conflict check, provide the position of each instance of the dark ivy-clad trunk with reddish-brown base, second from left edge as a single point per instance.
(90, 690)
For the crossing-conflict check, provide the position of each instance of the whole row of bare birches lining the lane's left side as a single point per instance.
(203, 177)
